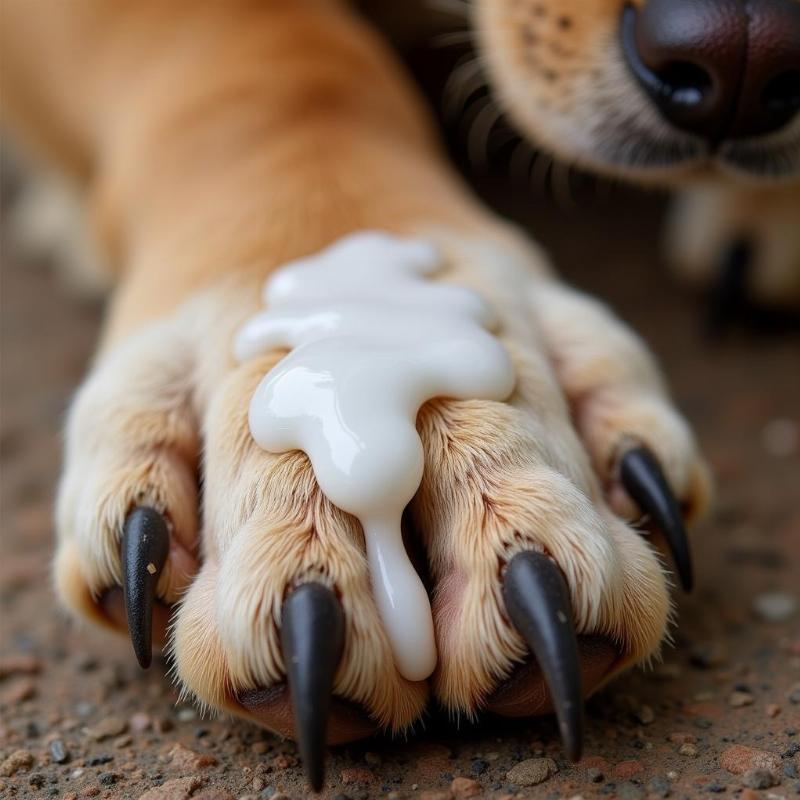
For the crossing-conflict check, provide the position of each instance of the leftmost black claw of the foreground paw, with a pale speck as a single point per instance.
(145, 545)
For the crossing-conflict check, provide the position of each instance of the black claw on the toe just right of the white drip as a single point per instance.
(537, 601)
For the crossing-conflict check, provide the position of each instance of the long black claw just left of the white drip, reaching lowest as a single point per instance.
(312, 636)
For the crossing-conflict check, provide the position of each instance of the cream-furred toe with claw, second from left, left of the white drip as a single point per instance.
(284, 592)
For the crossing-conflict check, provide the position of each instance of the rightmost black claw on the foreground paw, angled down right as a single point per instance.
(644, 481)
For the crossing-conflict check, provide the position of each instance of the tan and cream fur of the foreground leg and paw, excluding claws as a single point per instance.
(218, 141)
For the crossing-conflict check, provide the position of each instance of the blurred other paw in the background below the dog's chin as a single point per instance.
(741, 243)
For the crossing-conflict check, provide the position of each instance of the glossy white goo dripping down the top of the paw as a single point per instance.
(372, 339)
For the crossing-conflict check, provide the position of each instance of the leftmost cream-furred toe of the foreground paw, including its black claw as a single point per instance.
(127, 509)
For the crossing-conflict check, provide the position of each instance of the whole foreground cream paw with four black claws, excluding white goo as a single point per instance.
(540, 590)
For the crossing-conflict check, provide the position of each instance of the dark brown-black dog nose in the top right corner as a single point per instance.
(718, 68)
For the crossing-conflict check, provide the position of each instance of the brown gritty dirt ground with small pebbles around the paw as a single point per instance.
(720, 715)
